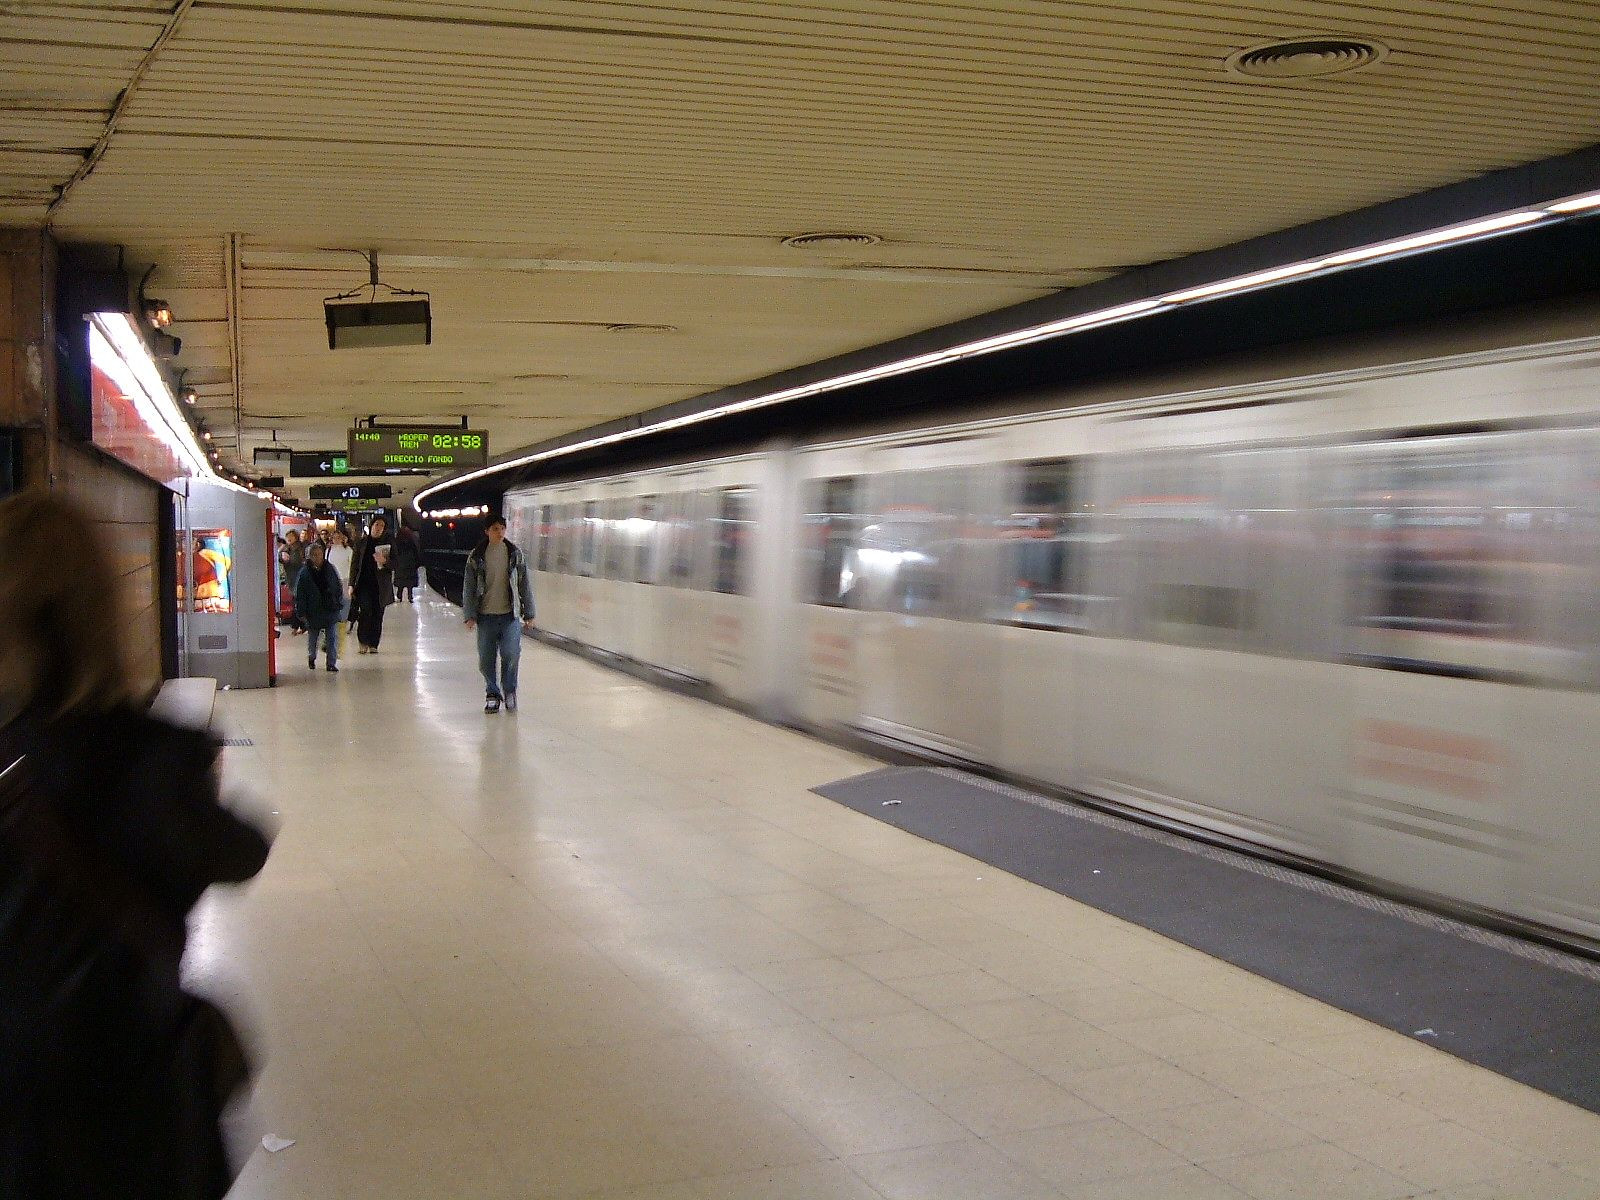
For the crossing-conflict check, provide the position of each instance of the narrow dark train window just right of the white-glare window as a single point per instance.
(1041, 545)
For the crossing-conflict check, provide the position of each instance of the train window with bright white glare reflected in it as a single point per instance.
(911, 558)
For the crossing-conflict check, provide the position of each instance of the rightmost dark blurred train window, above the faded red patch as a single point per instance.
(1446, 545)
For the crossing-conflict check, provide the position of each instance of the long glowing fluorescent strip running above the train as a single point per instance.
(1434, 239)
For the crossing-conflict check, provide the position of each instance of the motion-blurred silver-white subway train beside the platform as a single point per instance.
(1348, 618)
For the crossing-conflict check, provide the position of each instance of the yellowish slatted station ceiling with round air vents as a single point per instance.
(599, 194)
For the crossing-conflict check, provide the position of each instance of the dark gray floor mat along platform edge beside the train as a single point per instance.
(1527, 1012)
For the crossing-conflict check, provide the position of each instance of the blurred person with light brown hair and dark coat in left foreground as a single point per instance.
(113, 1079)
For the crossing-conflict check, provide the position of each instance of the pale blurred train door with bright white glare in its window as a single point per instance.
(930, 671)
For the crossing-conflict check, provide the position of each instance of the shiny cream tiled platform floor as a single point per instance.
(612, 946)
